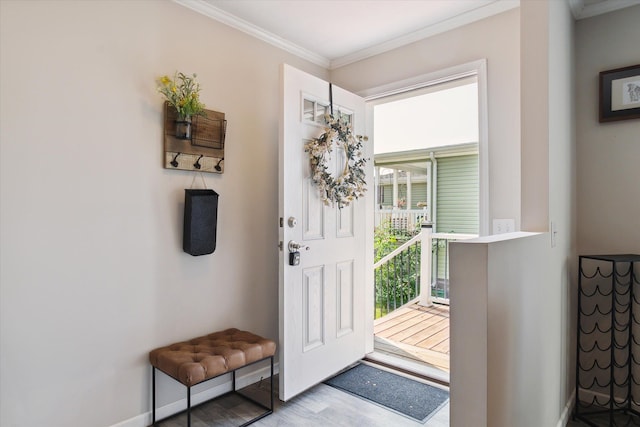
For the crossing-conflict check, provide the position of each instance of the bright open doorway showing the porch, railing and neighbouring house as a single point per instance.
(427, 169)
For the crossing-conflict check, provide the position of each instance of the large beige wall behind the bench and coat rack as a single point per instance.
(92, 270)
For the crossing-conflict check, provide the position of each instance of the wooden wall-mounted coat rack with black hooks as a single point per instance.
(203, 151)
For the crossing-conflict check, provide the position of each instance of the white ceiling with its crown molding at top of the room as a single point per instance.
(332, 33)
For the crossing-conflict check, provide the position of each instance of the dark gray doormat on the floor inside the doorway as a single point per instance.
(403, 395)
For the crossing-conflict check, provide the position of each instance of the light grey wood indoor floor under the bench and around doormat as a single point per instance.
(321, 405)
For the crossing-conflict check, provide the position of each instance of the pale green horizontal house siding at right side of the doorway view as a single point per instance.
(458, 195)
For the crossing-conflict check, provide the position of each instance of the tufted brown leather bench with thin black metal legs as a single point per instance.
(204, 358)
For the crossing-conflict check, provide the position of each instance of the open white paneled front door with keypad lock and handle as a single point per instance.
(323, 316)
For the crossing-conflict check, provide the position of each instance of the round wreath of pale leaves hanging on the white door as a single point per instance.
(350, 184)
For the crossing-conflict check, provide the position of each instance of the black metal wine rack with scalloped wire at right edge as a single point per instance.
(608, 342)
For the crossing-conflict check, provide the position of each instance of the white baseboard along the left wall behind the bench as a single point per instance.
(144, 420)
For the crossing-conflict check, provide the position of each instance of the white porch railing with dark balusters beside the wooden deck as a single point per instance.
(399, 275)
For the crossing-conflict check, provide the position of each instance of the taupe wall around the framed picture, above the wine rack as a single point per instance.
(608, 154)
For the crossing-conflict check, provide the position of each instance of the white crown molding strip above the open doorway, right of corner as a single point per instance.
(481, 12)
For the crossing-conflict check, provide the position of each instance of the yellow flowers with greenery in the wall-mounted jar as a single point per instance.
(183, 93)
